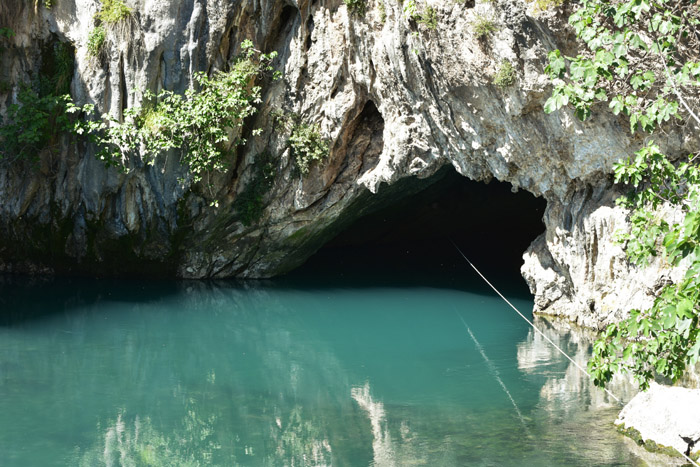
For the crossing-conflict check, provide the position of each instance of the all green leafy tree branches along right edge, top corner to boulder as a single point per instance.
(641, 60)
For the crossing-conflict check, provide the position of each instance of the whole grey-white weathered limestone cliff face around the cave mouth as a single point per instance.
(395, 99)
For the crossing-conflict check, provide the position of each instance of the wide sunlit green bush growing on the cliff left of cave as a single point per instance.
(201, 122)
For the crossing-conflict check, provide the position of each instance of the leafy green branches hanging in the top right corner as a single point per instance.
(641, 60)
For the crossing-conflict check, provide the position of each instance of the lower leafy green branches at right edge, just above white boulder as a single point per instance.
(664, 339)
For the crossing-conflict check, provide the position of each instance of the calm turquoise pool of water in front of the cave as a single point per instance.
(283, 373)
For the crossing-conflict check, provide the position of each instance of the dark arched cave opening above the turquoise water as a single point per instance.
(409, 240)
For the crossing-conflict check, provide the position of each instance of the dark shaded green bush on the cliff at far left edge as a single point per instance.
(32, 124)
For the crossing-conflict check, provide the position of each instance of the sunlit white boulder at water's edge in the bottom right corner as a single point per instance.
(664, 419)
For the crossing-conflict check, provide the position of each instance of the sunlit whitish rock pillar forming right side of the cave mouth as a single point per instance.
(577, 270)
